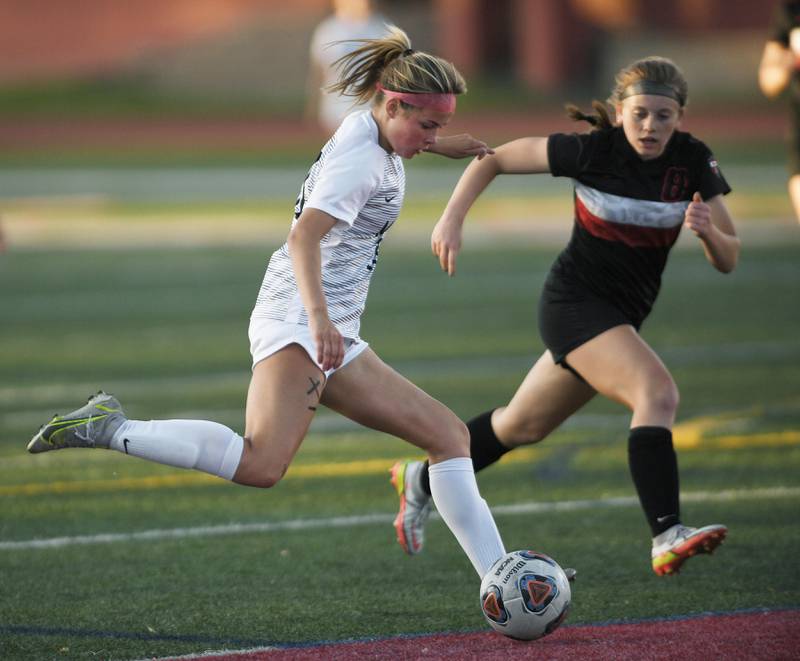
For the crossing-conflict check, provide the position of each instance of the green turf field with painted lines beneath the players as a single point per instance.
(104, 556)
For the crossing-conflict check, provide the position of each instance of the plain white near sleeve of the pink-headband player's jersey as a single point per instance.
(349, 176)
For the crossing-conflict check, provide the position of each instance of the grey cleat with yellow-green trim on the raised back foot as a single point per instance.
(91, 426)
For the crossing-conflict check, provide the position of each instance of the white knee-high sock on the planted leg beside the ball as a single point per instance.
(455, 494)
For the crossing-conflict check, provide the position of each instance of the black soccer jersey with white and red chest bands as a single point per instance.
(628, 212)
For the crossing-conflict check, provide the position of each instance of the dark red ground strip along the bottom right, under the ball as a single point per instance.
(772, 636)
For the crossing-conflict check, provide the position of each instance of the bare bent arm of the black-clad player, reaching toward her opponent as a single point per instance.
(523, 156)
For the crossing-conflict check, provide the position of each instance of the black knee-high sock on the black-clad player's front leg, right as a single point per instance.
(654, 469)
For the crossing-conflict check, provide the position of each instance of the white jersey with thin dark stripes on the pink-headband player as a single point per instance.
(361, 185)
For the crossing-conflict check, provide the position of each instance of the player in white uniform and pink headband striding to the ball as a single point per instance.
(304, 330)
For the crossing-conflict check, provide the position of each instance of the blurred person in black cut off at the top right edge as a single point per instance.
(779, 70)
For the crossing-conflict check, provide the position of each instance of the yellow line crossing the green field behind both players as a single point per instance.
(686, 438)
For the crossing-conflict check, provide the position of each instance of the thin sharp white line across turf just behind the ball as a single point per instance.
(380, 518)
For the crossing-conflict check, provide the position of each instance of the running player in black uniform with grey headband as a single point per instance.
(638, 180)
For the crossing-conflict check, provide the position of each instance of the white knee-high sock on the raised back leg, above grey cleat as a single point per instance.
(201, 444)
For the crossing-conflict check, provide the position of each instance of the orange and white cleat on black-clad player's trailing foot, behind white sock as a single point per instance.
(415, 506)
